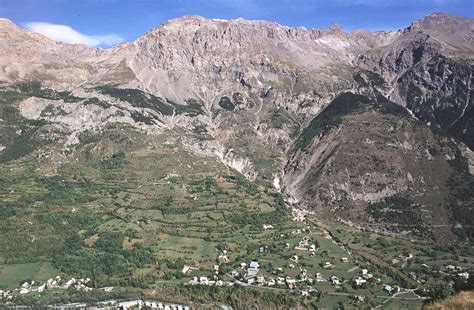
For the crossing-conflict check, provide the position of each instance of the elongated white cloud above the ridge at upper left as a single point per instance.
(67, 34)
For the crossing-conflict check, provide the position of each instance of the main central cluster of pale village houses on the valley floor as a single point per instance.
(250, 274)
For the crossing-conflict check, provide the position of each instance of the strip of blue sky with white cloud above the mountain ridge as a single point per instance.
(104, 23)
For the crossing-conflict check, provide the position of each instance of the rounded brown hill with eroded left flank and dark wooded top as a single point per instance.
(368, 162)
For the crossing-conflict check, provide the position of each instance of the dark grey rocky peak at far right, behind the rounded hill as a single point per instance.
(429, 69)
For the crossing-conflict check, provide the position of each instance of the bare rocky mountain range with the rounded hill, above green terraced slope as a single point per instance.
(371, 128)
